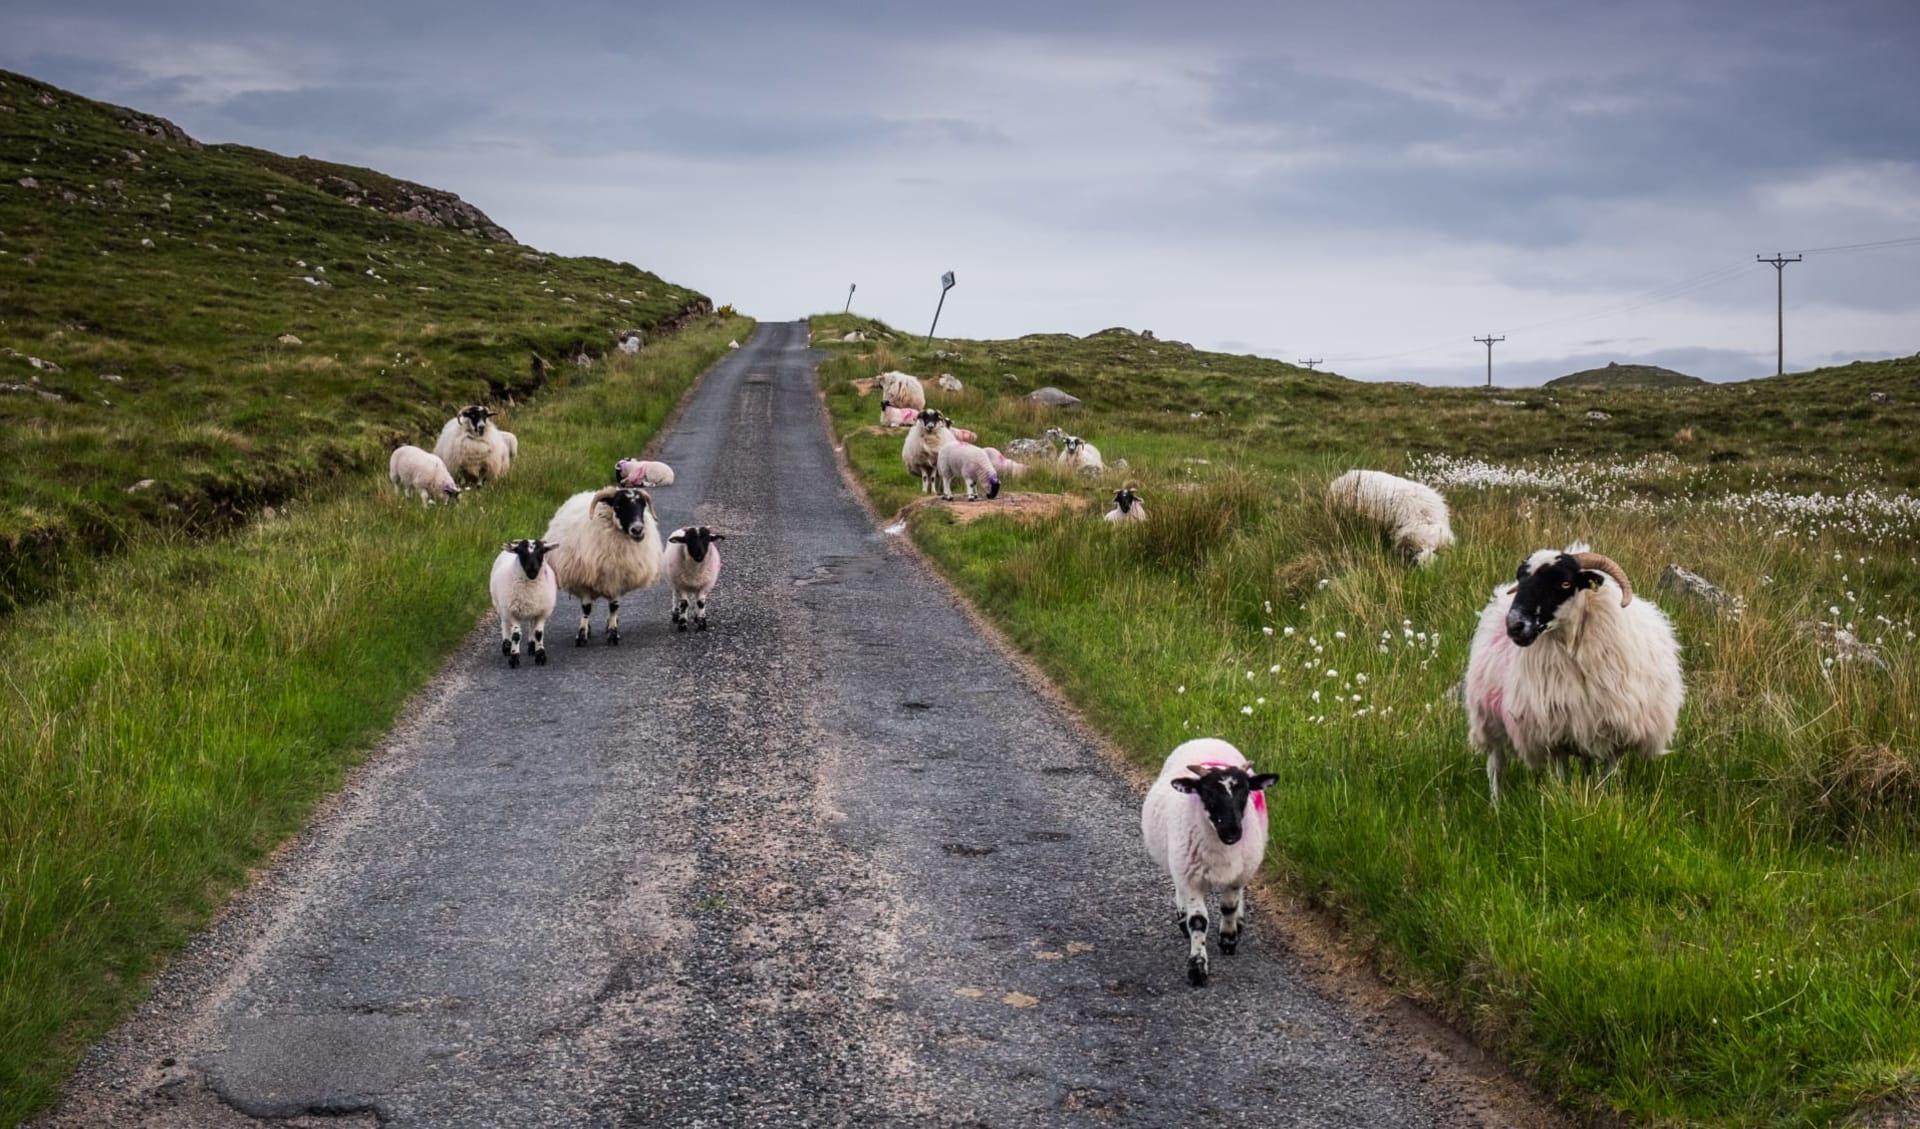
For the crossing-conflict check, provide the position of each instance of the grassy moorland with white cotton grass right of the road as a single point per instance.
(1723, 938)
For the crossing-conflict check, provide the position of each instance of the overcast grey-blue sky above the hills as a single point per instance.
(1366, 183)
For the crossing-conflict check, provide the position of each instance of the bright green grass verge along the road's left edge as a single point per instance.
(178, 717)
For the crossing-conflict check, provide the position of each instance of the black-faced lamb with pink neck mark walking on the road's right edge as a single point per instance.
(1205, 823)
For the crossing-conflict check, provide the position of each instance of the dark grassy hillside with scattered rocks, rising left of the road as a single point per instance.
(151, 289)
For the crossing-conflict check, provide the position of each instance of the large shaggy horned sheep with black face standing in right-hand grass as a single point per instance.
(1568, 663)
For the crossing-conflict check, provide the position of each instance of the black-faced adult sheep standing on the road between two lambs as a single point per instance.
(606, 546)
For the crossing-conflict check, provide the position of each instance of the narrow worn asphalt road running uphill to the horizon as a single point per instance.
(832, 863)
